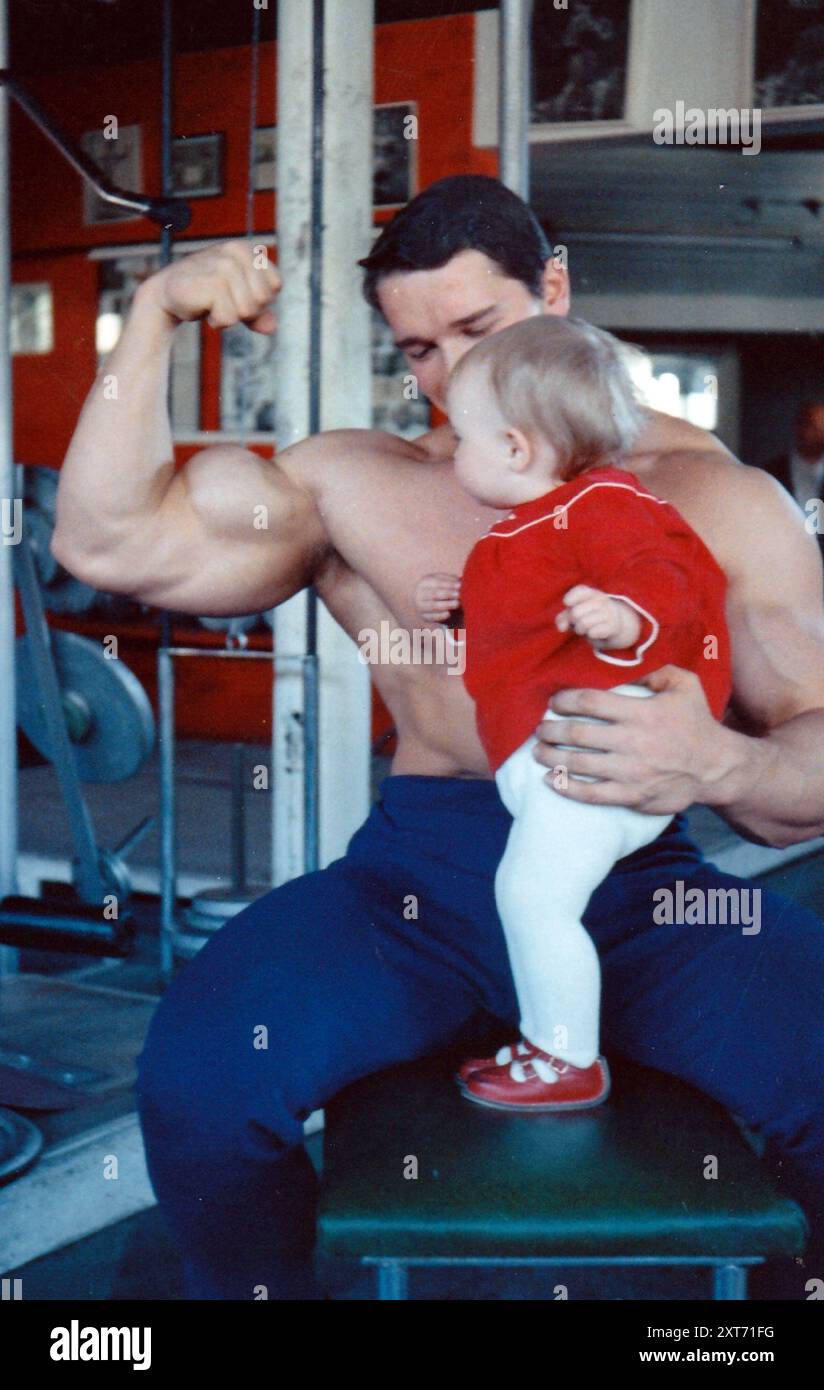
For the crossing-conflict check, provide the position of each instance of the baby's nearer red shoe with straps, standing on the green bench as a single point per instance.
(540, 1084)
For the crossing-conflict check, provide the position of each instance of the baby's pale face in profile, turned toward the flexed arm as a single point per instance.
(483, 454)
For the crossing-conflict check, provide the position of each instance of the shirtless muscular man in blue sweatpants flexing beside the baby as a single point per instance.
(329, 963)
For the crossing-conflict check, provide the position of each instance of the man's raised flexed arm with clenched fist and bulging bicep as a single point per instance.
(230, 533)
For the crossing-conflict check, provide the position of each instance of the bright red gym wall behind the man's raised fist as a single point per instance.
(425, 62)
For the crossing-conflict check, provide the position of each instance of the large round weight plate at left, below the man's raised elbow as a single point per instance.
(117, 733)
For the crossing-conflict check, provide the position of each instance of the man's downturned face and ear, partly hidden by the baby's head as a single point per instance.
(438, 315)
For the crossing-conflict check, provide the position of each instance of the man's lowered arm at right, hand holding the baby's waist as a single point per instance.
(668, 754)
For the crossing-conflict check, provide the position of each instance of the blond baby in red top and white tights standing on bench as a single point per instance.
(588, 578)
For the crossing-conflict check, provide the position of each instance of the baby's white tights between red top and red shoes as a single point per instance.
(557, 856)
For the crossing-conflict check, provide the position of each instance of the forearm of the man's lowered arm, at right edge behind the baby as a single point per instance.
(772, 789)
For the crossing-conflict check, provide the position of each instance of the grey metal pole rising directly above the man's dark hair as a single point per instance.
(516, 20)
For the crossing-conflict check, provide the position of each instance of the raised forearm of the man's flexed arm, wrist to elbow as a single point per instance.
(120, 461)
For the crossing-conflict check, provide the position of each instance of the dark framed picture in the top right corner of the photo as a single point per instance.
(790, 58)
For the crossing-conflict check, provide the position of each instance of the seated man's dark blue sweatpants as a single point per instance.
(348, 976)
